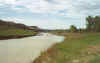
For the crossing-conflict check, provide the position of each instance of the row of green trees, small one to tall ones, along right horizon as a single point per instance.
(92, 25)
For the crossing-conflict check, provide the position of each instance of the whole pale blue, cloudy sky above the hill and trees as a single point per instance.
(49, 14)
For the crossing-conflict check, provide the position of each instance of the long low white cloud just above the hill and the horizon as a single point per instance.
(44, 23)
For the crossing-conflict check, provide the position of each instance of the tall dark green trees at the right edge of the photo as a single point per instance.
(93, 23)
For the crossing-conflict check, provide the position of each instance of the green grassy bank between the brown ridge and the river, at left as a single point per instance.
(15, 33)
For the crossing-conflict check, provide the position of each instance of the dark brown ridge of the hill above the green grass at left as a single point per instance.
(9, 25)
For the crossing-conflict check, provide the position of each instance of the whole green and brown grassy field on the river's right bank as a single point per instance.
(76, 48)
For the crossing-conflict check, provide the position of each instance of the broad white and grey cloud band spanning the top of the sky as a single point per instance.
(52, 6)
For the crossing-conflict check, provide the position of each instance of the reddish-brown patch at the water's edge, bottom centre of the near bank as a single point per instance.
(46, 56)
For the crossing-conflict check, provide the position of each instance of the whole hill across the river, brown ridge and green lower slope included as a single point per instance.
(10, 30)
